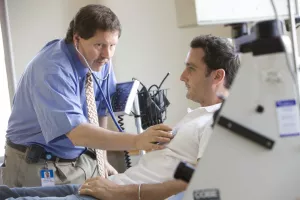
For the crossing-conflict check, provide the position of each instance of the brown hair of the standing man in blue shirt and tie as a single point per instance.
(91, 18)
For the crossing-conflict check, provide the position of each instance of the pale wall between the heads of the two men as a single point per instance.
(151, 45)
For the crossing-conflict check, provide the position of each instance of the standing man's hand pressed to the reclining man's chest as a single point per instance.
(149, 139)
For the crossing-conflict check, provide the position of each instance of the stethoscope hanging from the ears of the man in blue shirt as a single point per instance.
(97, 81)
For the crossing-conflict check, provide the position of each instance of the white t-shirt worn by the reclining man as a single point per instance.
(193, 133)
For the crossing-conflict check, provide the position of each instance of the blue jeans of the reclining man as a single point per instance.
(59, 192)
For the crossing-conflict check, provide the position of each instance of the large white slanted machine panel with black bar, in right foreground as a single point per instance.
(237, 167)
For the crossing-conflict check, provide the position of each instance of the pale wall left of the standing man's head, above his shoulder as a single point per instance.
(35, 22)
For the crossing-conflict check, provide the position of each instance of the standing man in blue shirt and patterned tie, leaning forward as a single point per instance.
(54, 115)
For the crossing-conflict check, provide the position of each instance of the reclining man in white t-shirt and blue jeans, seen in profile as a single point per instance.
(211, 65)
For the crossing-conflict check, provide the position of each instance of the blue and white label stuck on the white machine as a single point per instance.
(288, 118)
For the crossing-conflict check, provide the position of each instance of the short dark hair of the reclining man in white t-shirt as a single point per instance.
(219, 53)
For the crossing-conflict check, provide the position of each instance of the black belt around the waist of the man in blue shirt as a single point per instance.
(23, 149)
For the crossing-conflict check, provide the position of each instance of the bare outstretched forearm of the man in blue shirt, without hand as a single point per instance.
(92, 136)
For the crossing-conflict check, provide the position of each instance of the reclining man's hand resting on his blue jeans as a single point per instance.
(99, 188)
